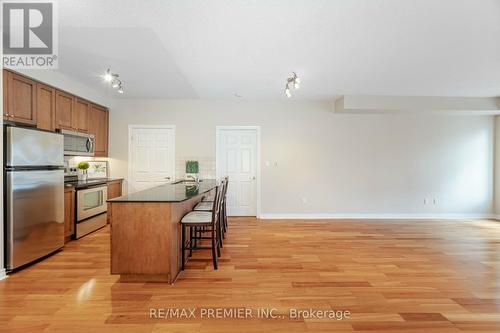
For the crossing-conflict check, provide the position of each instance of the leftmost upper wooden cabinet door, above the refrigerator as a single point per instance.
(22, 99)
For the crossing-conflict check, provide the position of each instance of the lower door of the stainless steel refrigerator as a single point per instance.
(35, 215)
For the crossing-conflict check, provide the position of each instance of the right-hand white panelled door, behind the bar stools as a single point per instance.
(237, 158)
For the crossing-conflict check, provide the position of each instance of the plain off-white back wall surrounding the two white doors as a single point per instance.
(345, 165)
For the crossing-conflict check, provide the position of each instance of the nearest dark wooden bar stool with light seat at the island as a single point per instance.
(209, 220)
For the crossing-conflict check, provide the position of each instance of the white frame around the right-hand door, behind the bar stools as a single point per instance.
(218, 132)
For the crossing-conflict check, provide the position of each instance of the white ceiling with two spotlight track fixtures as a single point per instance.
(214, 49)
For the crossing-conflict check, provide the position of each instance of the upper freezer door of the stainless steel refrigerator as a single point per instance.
(31, 148)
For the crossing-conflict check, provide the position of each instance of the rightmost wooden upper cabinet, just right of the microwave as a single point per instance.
(98, 125)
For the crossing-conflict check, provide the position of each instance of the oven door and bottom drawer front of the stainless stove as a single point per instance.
(91, 209)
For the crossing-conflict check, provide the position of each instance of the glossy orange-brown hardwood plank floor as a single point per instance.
(393, 276)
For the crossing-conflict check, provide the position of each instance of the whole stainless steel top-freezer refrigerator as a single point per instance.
(34, 194)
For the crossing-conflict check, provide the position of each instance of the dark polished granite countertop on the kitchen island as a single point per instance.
(177, 191)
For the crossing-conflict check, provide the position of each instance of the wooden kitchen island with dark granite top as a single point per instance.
(146, 230)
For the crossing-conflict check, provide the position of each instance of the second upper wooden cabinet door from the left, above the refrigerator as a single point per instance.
(45, 107)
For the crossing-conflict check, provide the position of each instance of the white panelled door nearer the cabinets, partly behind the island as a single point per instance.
(151, 157)
